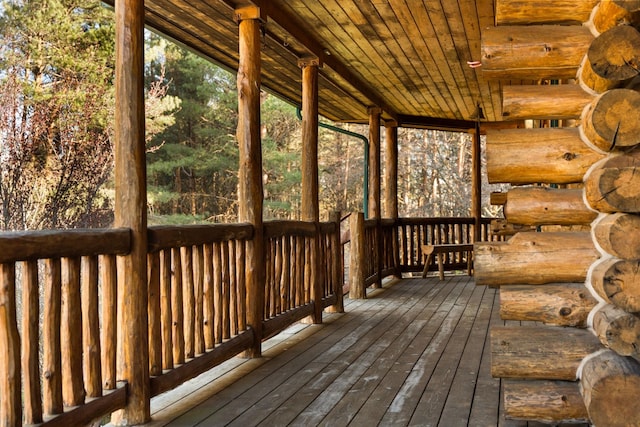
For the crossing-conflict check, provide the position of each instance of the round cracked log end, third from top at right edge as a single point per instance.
(612, 121)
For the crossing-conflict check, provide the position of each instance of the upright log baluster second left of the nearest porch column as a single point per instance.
(91, 327)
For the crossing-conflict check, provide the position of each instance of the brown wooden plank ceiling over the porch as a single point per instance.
(407, 56)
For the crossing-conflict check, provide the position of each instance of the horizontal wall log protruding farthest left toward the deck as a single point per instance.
(535, 258)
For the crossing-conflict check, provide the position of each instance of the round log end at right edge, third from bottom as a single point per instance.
(618, 282)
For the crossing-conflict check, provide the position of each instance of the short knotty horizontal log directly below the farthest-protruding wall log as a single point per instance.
(562, 304)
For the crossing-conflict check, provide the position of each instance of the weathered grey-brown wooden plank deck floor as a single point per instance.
(413, 353)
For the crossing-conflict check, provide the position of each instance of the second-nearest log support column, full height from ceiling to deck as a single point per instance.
(250, 192)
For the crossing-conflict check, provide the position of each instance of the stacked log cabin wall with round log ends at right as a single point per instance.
(582, 364)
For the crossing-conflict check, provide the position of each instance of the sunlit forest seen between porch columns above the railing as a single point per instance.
(56, 130)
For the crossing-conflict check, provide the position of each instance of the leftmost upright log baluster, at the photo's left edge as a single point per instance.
(10, 391)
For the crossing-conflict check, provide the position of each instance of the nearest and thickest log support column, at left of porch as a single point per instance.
(131, 211)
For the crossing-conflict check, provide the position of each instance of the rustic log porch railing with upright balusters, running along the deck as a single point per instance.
(58, 302)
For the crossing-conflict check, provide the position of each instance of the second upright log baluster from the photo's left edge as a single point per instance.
(30, 343)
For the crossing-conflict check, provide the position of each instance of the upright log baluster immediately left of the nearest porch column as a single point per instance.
(108, 275)
